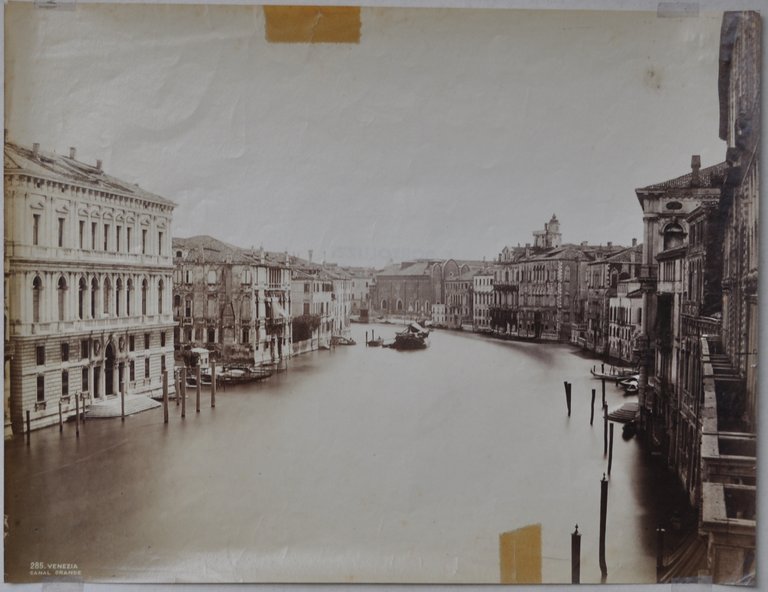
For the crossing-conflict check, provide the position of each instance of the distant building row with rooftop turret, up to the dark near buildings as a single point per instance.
(546, 290)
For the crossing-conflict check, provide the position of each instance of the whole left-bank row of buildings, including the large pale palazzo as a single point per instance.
(99, 298)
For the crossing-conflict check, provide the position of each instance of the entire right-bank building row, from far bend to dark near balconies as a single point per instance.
(681, 307)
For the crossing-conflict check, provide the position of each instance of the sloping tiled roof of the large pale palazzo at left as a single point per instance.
(56, 167)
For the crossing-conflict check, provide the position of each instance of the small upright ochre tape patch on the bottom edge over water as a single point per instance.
(520, 555)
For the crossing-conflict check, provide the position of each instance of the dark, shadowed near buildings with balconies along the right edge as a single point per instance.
(698, 344)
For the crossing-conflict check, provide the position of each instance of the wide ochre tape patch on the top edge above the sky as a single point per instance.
(312, 24)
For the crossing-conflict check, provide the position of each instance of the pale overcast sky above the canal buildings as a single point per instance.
(444, 133)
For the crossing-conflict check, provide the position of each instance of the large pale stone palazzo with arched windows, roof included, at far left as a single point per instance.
(88, 283)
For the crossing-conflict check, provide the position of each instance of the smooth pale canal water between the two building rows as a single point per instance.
(357, 464)
